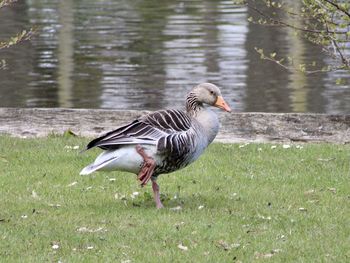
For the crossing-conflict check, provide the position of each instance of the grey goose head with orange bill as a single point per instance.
(206, 93)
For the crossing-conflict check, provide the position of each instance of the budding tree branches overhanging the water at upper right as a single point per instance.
(323, 23)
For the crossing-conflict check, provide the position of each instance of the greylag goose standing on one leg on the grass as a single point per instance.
(163, 141)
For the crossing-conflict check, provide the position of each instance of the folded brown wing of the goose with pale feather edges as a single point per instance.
(149, 129)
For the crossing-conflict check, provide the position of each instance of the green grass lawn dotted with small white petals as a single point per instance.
(238, 204)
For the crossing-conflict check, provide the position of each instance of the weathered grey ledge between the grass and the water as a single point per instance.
(236, 127)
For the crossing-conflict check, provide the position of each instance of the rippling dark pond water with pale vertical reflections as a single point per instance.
(149, 54)
